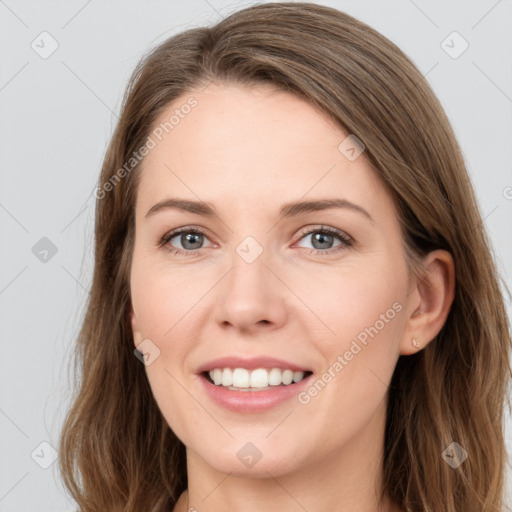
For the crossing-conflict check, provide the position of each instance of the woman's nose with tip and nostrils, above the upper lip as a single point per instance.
(251, 298)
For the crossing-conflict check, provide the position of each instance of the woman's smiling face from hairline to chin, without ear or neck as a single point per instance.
(265, 276)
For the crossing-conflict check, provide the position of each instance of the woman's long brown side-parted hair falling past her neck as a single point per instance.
(117, 451)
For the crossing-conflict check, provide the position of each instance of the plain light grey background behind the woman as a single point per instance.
(57, 114)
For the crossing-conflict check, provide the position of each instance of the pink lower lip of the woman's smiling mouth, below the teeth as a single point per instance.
(252, 401)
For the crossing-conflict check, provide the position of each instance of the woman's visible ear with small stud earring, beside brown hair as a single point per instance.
(430, 301)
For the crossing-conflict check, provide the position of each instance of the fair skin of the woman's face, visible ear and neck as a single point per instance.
(247, 152)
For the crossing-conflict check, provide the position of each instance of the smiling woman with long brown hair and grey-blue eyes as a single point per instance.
(293, 303)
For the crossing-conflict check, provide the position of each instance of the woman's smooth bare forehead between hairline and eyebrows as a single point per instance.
(253, 146)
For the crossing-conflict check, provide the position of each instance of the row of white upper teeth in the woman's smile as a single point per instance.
(259, 378)
